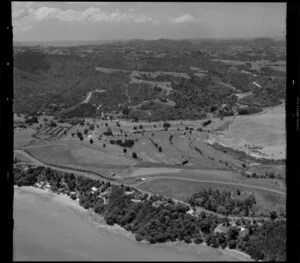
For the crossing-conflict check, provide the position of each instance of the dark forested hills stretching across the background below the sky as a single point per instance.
(154, 80)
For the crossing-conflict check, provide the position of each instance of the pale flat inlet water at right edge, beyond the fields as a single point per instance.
(265, 129)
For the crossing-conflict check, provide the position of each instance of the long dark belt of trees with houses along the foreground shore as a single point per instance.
(167, 222)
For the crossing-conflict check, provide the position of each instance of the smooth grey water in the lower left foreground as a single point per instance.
(47, 228)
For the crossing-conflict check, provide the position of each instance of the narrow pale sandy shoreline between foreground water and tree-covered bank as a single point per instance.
(116, 229)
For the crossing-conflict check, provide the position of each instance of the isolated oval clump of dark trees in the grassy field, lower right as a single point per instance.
(224, 202)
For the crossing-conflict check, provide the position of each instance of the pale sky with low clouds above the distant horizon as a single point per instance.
(67, 21)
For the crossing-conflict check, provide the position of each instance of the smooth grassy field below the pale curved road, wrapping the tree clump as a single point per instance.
(179, 189)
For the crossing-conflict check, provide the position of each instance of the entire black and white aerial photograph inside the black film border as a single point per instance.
(149, 131)
